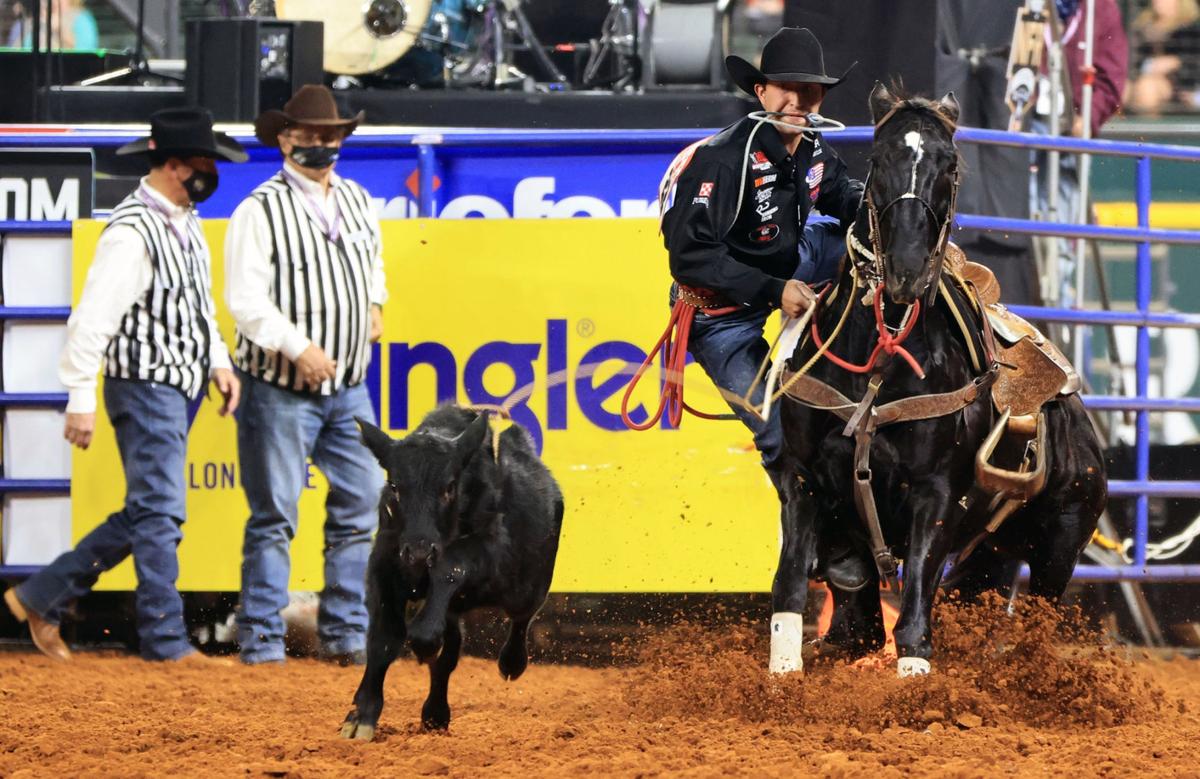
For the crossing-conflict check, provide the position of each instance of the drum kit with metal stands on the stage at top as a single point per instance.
(459, 44)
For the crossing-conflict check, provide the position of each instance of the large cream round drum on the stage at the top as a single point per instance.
(362, 37)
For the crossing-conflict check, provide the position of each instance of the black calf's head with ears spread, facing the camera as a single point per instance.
(425, 490)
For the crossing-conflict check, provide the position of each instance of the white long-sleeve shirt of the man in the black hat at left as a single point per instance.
(121, 273)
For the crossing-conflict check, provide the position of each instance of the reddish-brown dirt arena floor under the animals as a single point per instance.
(1011, 697)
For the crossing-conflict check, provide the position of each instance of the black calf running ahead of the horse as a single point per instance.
(465, 523)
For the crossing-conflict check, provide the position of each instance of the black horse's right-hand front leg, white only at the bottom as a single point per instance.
(931, 534)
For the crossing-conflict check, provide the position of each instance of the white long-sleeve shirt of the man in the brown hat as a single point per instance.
(249, 273)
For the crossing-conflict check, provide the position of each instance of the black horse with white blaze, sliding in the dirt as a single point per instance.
(920, 472)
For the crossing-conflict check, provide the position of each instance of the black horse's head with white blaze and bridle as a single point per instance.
(911, 189)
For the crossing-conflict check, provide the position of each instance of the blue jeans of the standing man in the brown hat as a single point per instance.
(278, 432)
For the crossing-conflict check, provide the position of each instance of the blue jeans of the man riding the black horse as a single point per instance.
(731, 347)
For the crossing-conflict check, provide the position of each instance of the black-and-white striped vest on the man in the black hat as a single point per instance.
(165, 338)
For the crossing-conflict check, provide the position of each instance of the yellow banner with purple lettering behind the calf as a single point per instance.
(477, 310)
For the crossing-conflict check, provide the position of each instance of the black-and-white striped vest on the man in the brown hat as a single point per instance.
(321, 284)
